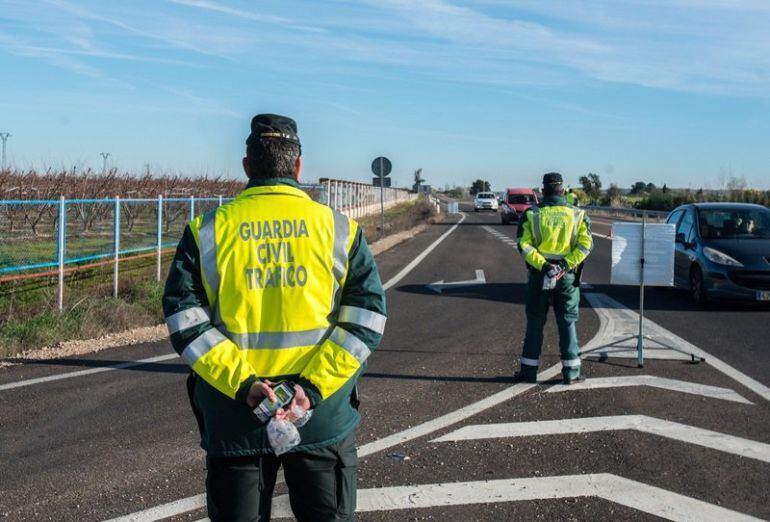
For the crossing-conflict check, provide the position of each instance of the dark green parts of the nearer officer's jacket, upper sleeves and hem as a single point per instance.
(228, 428)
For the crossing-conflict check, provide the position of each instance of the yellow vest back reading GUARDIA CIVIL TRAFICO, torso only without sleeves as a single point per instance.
(273, 262)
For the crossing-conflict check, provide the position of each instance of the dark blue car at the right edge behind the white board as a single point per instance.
(722, 250)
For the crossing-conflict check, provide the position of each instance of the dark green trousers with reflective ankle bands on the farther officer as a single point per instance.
(566, 304)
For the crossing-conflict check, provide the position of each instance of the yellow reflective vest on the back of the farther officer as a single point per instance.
(555, 229)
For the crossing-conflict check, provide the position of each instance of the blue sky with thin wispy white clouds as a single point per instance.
(668, 91)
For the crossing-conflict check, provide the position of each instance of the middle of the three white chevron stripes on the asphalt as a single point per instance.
(642, 423)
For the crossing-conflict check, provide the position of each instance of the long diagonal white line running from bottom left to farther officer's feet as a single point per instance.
(199, 501)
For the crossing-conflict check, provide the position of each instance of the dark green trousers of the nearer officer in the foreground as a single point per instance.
(321, 482)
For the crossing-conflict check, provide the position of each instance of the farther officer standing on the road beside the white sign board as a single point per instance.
(554, 238)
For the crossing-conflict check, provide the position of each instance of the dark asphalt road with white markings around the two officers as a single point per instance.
(445, 434)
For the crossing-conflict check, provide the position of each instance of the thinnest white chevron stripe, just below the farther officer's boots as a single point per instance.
(712, 392)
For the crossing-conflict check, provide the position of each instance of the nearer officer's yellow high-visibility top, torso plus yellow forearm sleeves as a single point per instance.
(273, 263)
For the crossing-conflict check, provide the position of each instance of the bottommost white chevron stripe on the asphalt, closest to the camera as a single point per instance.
(620, 490)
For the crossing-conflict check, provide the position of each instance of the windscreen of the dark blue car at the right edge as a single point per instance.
(729, 223)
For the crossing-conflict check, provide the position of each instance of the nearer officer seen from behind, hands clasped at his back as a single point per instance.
(269, 288)
